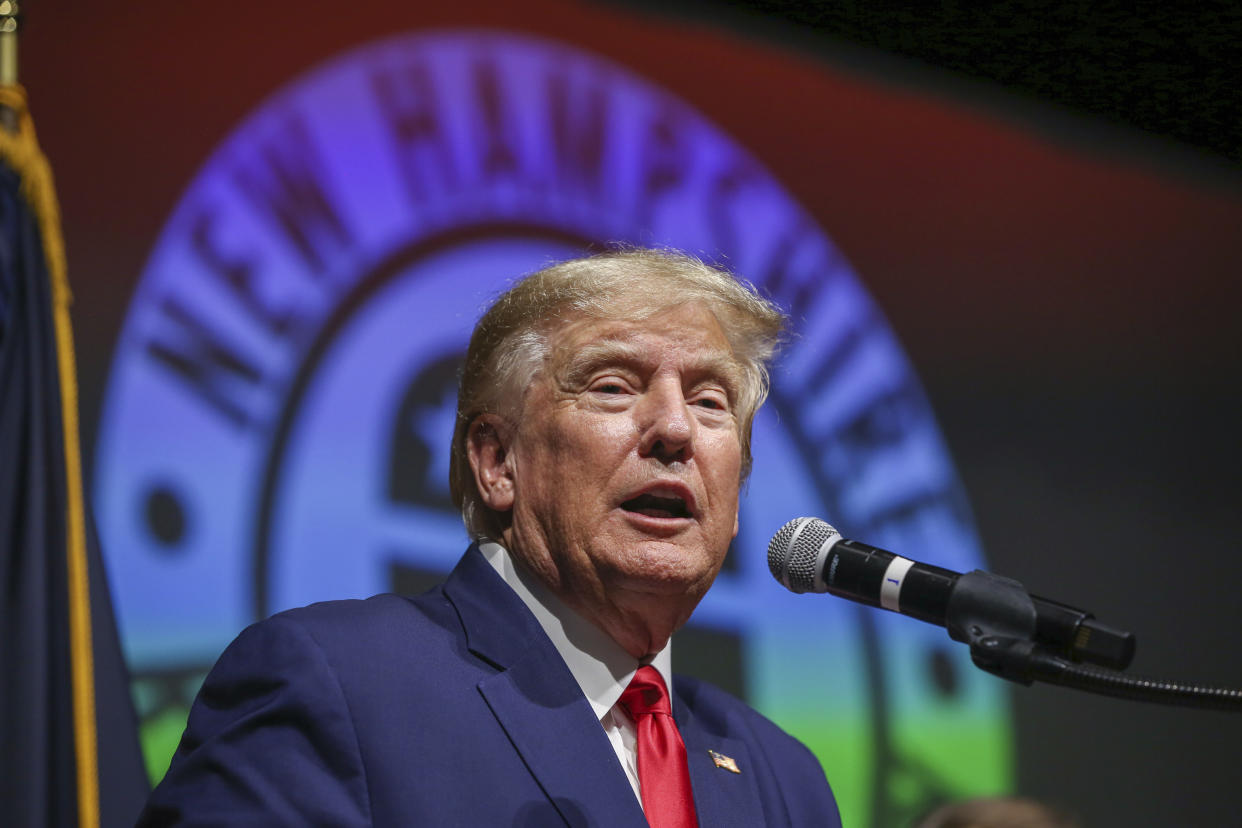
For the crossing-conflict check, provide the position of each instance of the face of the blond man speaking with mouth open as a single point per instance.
(627, 464)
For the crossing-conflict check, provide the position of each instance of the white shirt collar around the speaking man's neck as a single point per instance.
(602, 668)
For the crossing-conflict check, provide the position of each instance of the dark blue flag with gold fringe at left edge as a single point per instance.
(69, 738)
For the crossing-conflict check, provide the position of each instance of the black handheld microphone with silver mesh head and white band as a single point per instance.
(808, 556)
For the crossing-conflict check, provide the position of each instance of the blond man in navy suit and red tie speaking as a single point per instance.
(602, 441)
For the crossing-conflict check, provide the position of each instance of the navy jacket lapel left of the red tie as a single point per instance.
(538, 703)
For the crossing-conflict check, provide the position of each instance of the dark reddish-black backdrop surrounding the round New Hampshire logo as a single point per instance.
(1048, 205)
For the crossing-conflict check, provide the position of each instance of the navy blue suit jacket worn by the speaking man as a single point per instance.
(451, 708)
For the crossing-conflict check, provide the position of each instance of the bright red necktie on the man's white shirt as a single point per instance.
(664, 774)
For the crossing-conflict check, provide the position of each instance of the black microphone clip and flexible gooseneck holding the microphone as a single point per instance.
(997, 618)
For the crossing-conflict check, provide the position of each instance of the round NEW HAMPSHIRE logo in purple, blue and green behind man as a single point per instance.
(279, 418)
